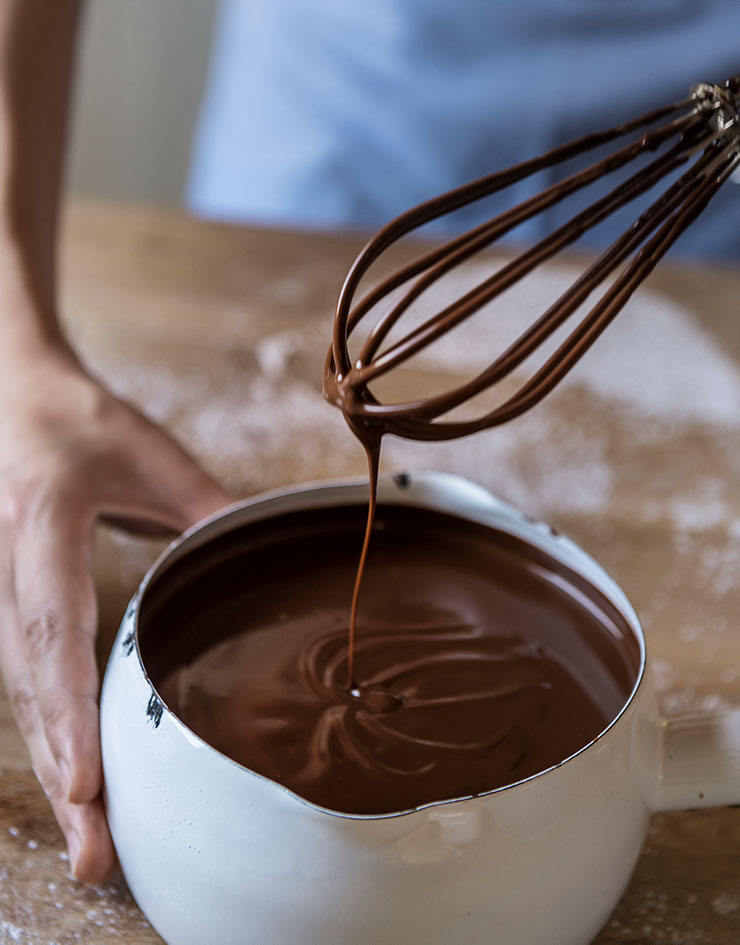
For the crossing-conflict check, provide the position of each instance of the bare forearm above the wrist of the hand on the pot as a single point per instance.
(37, 44)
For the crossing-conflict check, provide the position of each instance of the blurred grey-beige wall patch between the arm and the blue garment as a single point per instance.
(139, 84)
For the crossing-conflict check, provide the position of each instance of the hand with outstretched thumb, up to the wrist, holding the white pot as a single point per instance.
(71, 453)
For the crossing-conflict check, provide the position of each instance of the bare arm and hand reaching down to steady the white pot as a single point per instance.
(70, 452)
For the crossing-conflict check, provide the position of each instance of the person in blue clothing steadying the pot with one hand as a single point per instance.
(343, 113)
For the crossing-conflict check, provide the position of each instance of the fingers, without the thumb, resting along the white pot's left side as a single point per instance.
(47, 658)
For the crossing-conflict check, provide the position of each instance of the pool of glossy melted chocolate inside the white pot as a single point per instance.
(480, 661)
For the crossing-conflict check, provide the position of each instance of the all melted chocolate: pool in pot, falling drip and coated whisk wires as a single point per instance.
(480, 660)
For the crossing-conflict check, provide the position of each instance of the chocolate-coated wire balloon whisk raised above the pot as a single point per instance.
(701, 131)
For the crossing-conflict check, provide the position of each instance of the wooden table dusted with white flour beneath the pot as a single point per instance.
(219, 331)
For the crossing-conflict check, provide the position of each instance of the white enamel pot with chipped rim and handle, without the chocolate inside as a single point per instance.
(213, 852)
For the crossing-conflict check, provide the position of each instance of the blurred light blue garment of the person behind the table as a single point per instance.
(343, 113)
